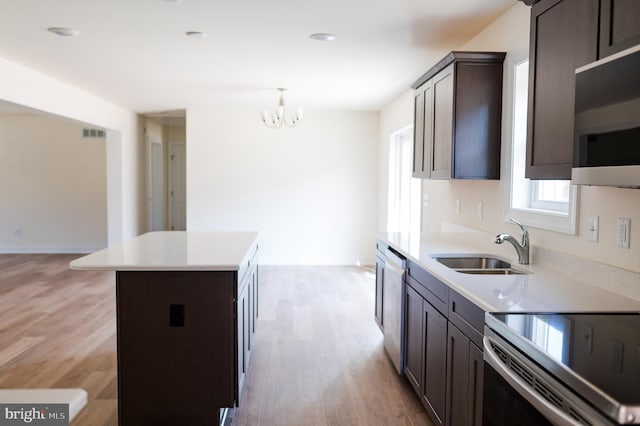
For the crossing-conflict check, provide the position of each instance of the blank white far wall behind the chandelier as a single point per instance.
(310, 190)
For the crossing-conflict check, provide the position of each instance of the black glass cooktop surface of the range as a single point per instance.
(601, 348)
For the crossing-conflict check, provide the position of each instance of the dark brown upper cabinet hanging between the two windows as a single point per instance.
(457, 117)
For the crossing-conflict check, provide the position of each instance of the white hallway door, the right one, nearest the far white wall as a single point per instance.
(177, 186)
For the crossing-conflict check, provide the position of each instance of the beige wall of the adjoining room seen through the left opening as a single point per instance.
(54, 186)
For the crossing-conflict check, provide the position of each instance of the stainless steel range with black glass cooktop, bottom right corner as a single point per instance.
(564, 369)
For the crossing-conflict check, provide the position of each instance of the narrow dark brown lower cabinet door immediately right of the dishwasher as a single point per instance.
(414, 340)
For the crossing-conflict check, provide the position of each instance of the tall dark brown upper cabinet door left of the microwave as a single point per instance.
(564, 36)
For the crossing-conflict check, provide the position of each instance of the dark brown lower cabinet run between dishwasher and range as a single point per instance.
(442, 360)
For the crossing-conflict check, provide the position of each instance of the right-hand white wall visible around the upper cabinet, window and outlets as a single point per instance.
(510, 33)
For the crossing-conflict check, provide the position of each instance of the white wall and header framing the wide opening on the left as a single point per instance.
(125, 167)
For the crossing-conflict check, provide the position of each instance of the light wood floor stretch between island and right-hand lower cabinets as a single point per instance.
(319, 357)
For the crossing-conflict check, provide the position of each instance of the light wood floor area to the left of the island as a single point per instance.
(58, 330)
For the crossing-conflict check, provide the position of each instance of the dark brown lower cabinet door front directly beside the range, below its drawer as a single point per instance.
(464, 376)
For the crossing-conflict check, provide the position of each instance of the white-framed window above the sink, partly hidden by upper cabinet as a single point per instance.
(546, 204)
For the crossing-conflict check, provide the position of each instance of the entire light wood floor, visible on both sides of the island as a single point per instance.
(317, 357)
